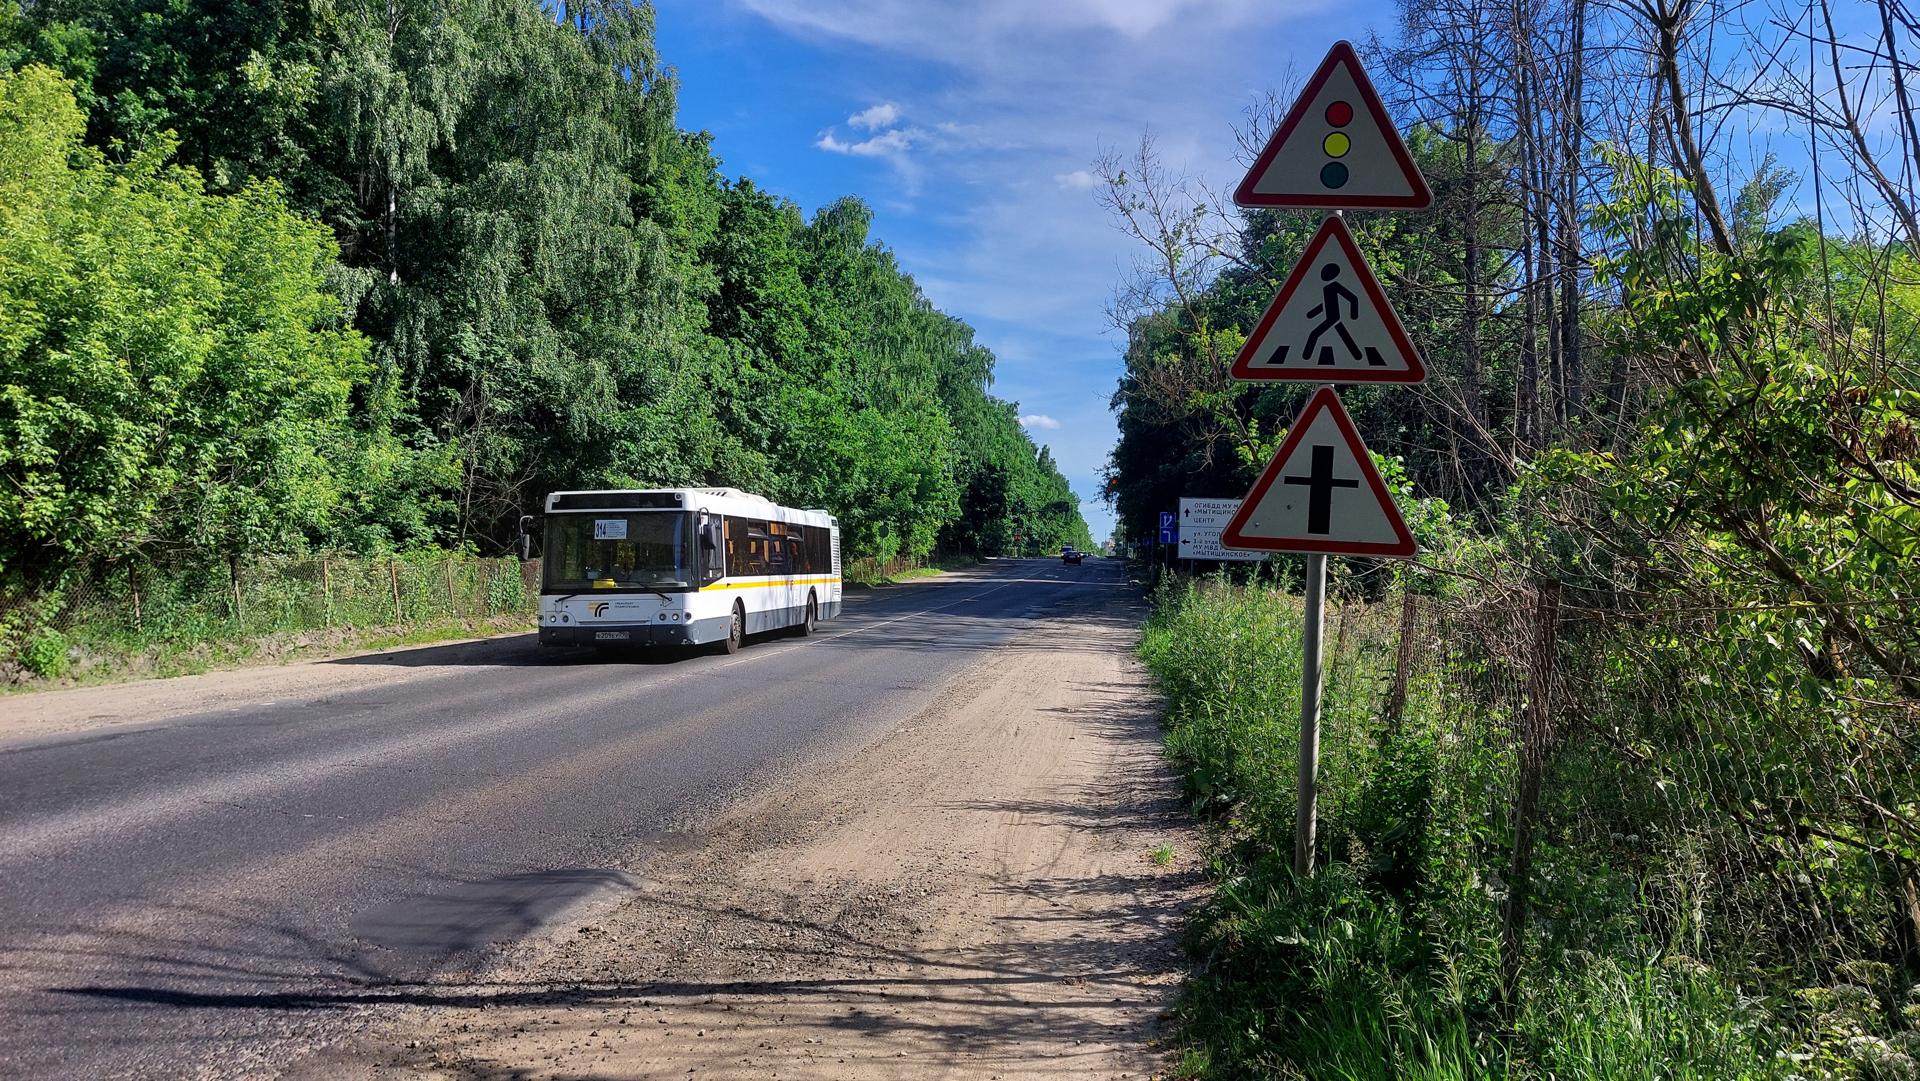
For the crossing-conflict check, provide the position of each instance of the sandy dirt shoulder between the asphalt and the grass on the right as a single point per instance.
(974, 896)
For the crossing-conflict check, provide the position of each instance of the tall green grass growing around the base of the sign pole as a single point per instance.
(1385, 965)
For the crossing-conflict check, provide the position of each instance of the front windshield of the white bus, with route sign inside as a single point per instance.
(617, 550)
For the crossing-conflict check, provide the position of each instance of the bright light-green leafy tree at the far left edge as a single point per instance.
(174, 373)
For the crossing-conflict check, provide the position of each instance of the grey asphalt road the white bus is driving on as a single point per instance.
(214, 894)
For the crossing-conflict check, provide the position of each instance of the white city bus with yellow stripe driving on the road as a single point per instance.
(683, 567)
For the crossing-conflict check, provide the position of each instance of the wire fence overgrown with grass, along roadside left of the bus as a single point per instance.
(133, 615)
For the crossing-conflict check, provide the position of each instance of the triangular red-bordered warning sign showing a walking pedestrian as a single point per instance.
(1330, 324)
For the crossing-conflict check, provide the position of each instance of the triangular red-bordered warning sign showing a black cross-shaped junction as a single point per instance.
(1320, 494)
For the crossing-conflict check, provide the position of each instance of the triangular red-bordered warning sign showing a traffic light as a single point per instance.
(1335, 149)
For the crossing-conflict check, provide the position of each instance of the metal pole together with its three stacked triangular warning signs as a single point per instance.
(1335, 151)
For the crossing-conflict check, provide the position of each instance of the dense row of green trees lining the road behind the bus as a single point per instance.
(381, 274)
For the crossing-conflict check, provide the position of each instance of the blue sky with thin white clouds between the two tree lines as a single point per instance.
(971, 130)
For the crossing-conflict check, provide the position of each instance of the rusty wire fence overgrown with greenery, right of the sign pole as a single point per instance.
(1675, 782)
